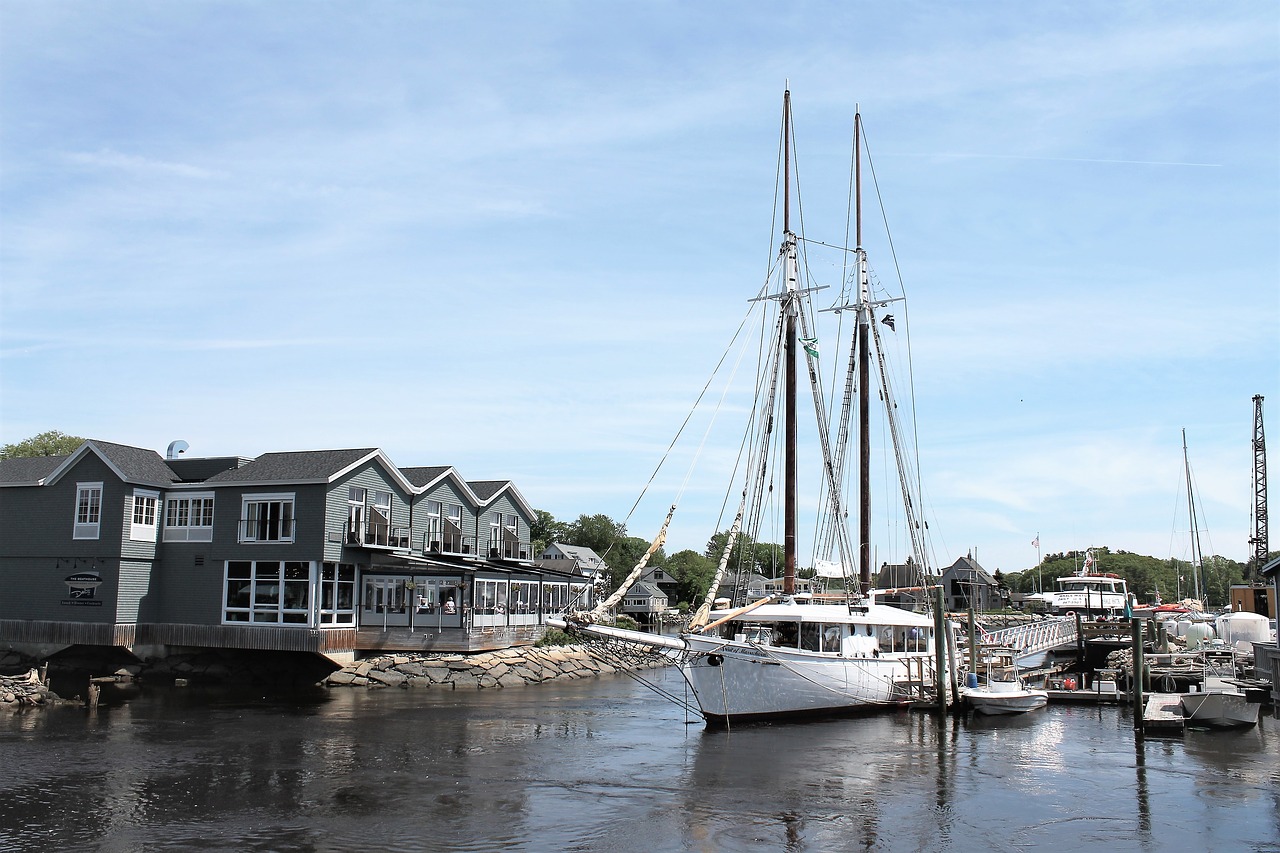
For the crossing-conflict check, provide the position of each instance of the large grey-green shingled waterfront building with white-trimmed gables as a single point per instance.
(335, 553)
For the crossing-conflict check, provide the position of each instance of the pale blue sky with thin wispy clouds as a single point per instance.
(515, 238)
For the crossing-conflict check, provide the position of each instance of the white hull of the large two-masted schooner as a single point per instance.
(739, 682)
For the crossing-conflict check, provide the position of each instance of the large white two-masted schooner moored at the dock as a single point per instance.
(793, 654)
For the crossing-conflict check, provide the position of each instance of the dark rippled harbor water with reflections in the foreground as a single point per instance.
(609, 765)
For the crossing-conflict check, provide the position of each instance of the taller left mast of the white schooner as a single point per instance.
(790, 271)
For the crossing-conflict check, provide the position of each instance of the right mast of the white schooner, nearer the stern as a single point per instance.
(865, 311)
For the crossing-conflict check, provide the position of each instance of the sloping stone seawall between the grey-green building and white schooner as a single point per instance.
(502, 669)
